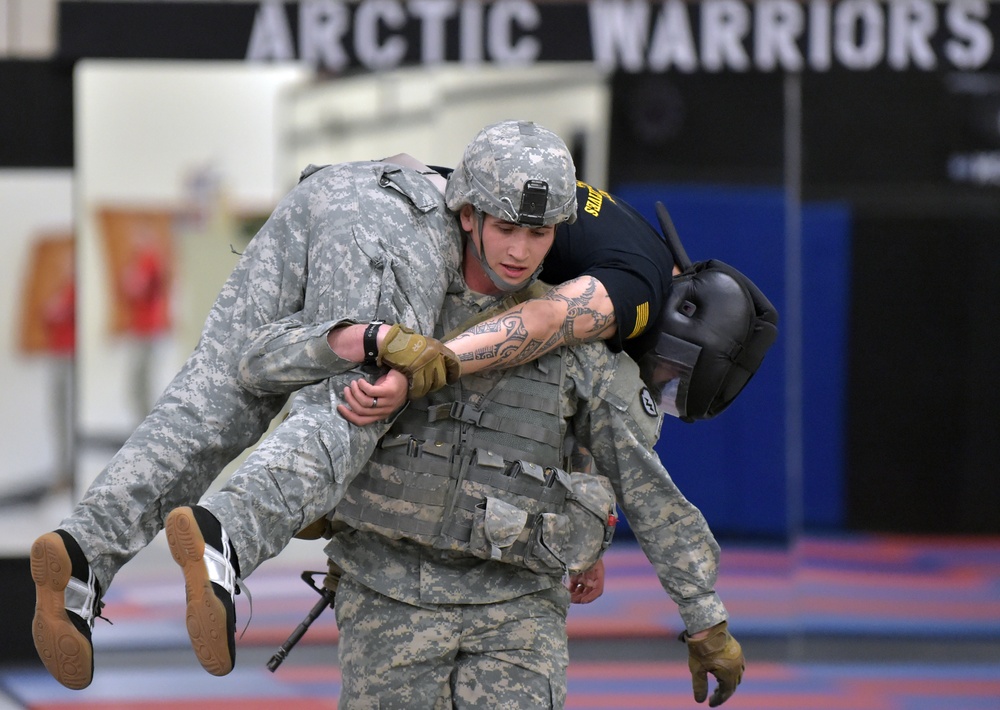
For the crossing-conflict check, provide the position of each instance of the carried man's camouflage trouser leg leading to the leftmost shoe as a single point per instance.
(200, 423)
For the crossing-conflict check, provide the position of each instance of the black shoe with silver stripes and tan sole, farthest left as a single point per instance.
(67, 600)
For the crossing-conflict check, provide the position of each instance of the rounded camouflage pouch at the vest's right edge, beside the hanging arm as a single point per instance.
(590, 509)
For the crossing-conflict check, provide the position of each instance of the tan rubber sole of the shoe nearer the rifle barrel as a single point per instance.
(206, 615)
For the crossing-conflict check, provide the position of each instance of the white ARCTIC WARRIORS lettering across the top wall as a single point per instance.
(714, 35)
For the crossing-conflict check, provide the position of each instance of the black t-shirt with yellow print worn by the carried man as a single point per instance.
(616, 245)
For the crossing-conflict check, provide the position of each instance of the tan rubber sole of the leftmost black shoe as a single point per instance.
(67, 654)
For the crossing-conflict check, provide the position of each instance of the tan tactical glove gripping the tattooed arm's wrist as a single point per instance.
(428, 363)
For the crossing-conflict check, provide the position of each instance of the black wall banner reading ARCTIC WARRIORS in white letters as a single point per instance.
(627, 35)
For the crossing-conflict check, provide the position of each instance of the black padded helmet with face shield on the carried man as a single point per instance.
(714, 331)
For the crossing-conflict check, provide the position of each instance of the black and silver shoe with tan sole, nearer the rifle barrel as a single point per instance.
(201, 547)
